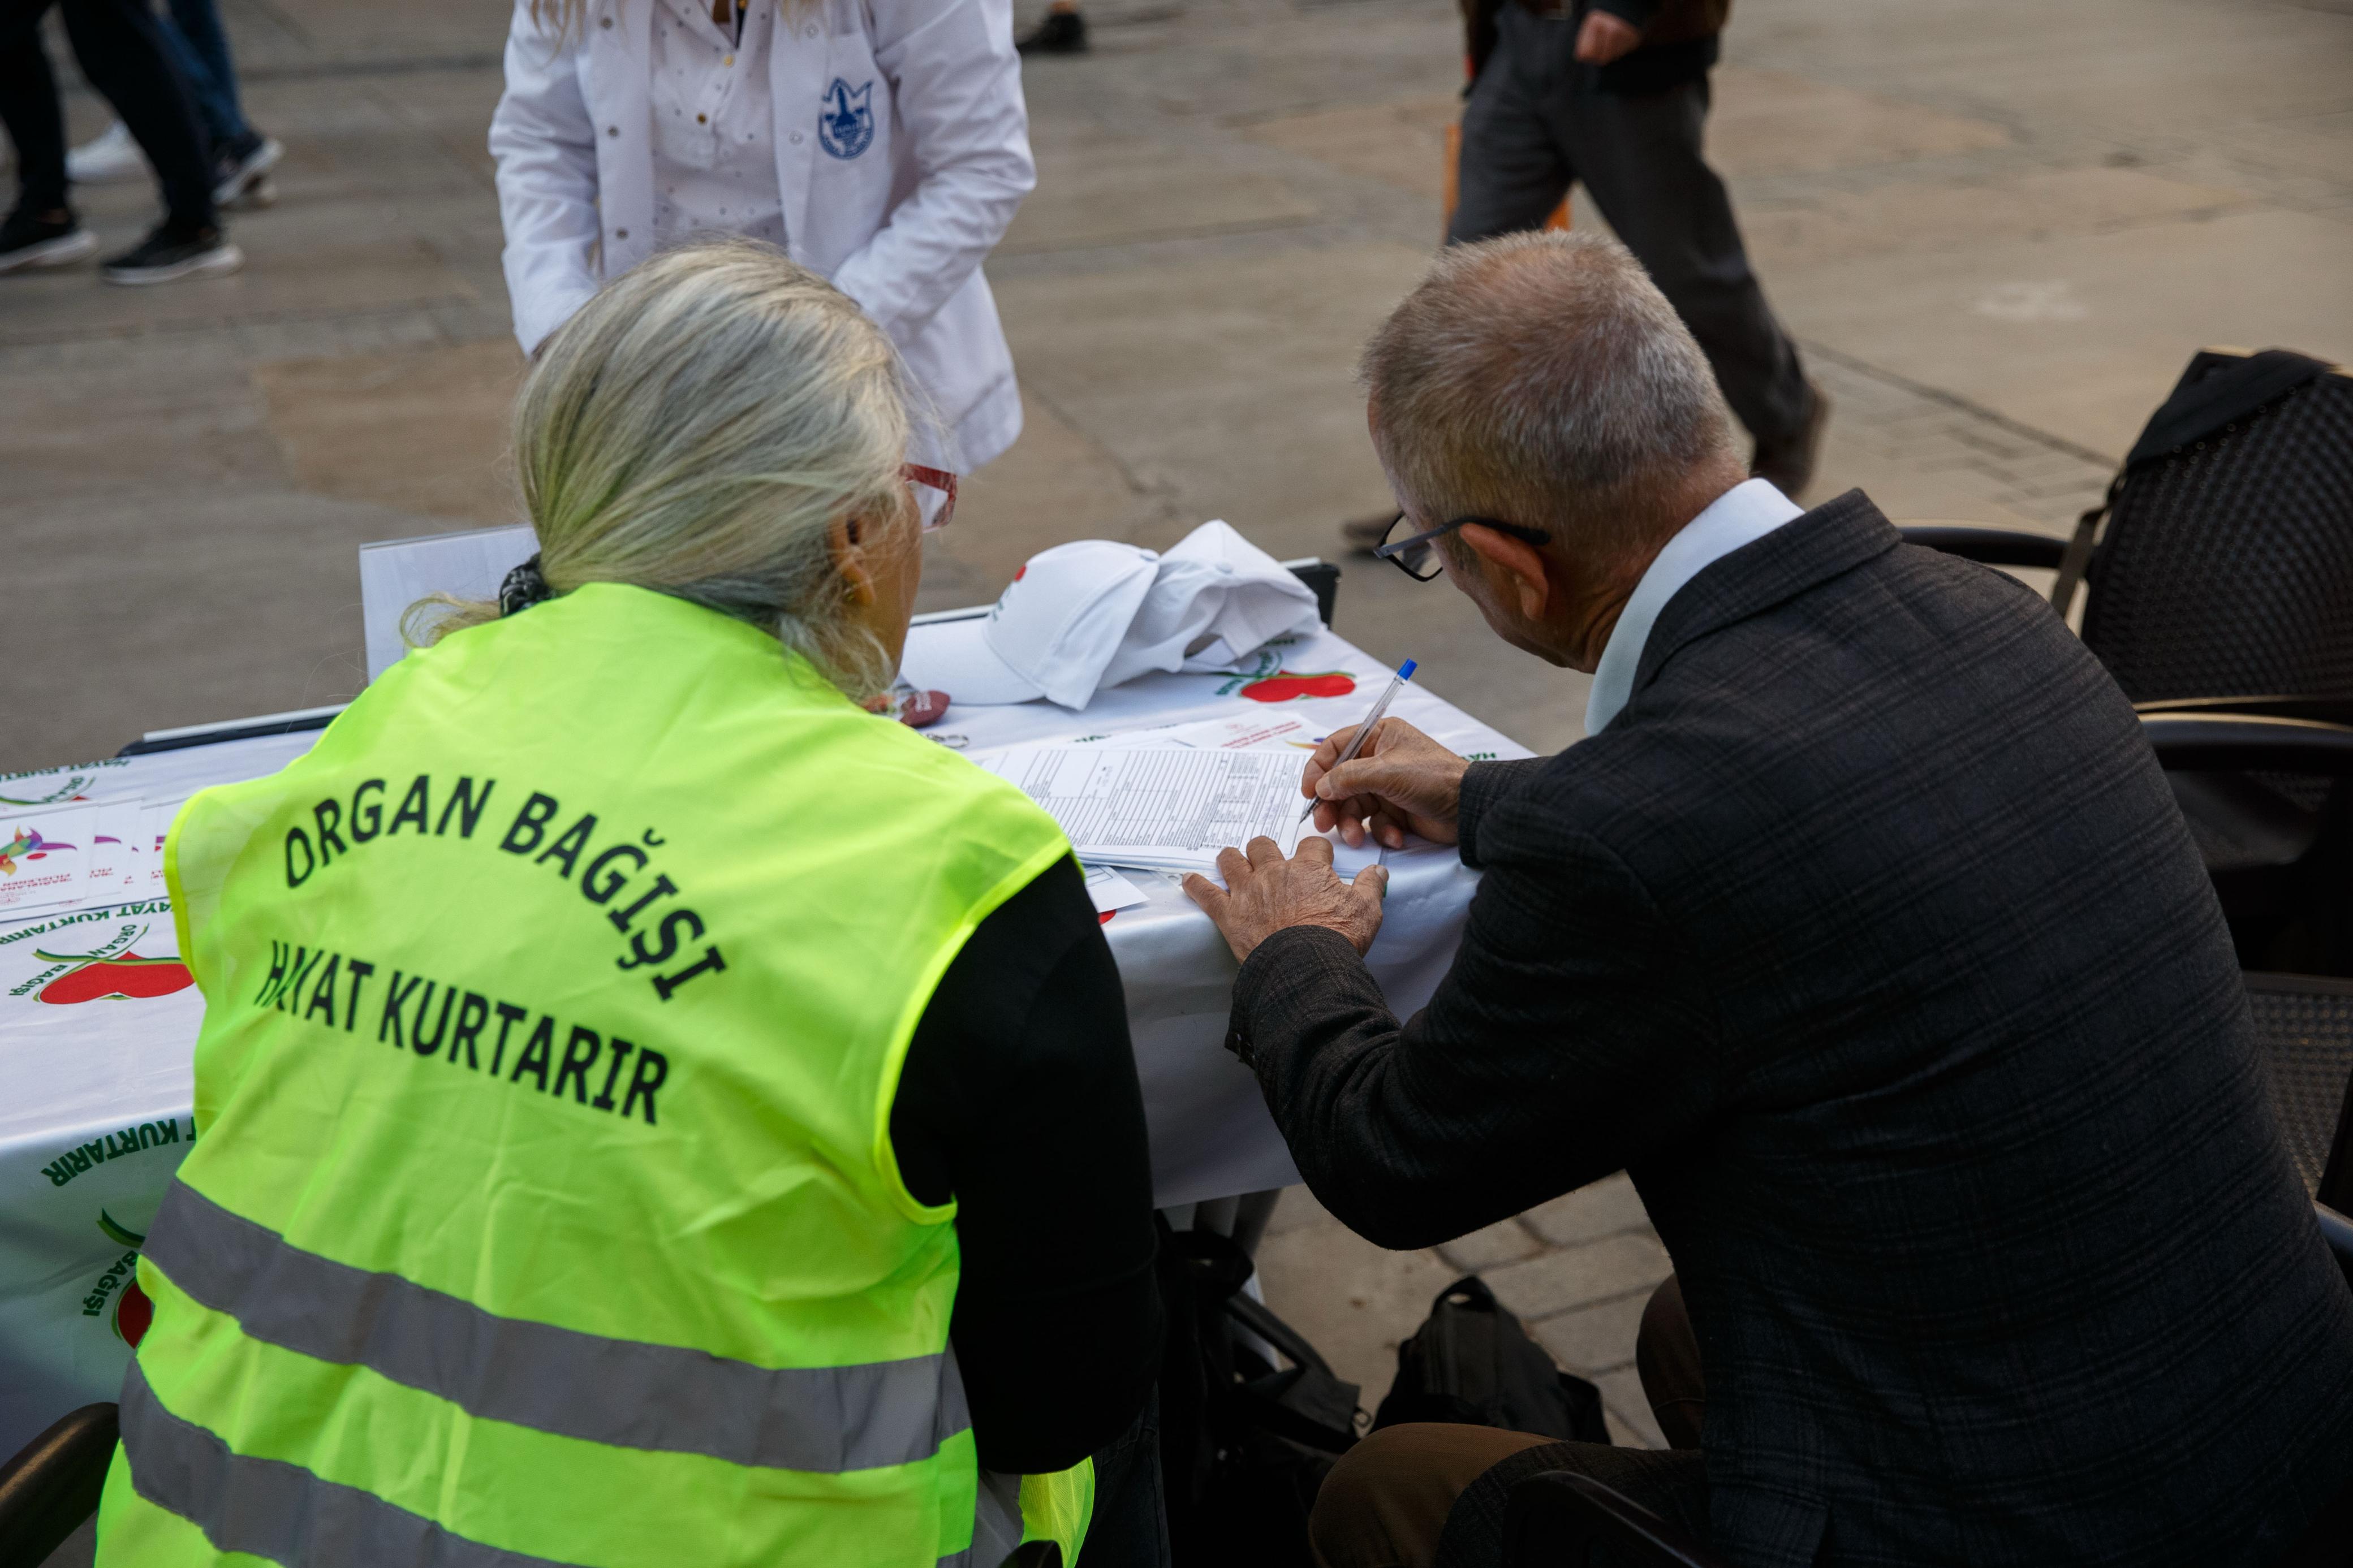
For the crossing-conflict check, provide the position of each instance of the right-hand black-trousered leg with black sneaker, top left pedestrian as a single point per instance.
(121, 51)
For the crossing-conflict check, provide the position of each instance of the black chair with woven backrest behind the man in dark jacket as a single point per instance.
(2218, 577)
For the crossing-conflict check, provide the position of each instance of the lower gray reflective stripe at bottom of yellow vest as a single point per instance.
(281, 1510)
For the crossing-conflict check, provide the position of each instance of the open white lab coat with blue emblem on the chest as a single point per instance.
(900, 225)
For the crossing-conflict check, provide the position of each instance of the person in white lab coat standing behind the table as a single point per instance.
(879, 142)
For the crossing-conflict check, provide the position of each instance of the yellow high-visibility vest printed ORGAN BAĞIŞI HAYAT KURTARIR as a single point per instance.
(547, 1207)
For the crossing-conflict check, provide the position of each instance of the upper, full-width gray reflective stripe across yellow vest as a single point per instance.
(561, 1381)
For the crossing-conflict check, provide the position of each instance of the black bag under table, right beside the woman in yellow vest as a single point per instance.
(1244, 1442)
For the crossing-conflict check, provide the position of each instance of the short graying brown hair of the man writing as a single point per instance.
(1542, 380)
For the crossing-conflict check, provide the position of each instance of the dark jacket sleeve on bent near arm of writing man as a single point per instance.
(1571, 1038)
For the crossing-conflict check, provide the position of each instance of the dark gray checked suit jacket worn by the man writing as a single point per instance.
(1874, 946)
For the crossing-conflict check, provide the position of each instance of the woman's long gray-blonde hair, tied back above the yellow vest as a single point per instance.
(698, 429)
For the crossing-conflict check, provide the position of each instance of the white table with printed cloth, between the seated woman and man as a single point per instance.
(95, 1113)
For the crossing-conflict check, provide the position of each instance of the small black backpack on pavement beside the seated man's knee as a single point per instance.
(1474, 1365)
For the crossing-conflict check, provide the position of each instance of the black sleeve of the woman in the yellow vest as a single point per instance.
(1020, 1101)
